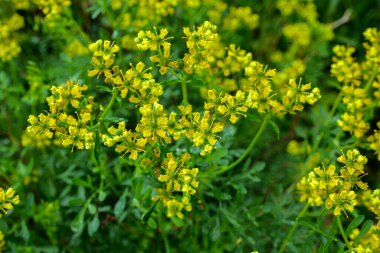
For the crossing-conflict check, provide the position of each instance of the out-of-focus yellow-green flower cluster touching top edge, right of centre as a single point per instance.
(304, 32)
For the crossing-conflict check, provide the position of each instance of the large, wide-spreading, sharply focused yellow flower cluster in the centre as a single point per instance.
(149, 140)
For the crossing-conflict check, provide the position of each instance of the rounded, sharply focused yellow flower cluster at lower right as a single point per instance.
(335, 188)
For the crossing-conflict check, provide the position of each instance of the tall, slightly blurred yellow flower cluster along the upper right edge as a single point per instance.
(357, 79)
